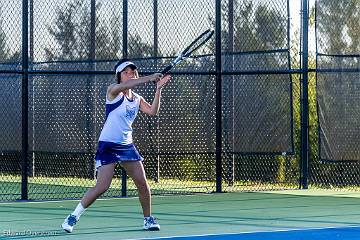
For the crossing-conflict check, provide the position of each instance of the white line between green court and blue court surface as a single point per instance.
(250, 232)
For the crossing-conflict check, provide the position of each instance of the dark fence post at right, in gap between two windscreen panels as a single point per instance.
(304, 150)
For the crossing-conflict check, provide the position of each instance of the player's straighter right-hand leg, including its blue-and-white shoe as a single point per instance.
(135, 170)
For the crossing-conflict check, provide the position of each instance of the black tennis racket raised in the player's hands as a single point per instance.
(194, 45)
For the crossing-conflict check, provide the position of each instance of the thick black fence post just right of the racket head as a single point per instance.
(218, 150)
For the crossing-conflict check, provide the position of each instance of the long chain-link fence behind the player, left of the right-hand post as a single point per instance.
(229, 119)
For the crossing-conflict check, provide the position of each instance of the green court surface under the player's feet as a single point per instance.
(186, 216)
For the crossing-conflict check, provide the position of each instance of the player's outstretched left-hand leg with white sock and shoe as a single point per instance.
(104, 176)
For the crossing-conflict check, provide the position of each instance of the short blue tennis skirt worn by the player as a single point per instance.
(109, 152)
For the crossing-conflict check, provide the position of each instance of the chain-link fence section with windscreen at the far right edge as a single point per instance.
(338, 81)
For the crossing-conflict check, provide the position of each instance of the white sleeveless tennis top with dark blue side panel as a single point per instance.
(120, 115)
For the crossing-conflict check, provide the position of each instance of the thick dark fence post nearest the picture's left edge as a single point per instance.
(25, 102)
